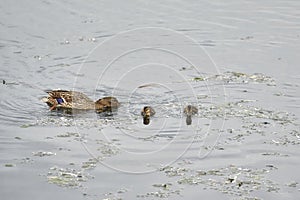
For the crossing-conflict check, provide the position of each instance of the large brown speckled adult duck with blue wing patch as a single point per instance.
(72, 100)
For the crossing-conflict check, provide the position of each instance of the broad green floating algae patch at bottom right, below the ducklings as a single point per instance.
(231, 180)
